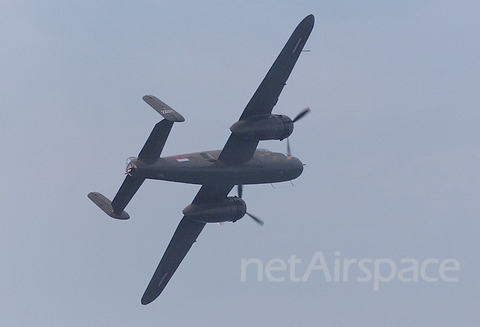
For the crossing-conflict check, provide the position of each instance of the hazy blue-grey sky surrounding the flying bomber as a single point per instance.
(391, 151)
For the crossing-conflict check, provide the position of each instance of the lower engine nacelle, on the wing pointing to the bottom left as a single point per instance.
(232, 209)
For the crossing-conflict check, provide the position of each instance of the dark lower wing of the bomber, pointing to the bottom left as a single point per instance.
(183, 238)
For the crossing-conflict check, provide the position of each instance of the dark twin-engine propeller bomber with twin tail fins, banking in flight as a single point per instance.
(218, 172)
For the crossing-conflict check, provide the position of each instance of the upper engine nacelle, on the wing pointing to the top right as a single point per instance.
(268, 127)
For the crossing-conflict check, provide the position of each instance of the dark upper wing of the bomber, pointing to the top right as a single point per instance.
(238, 150)
